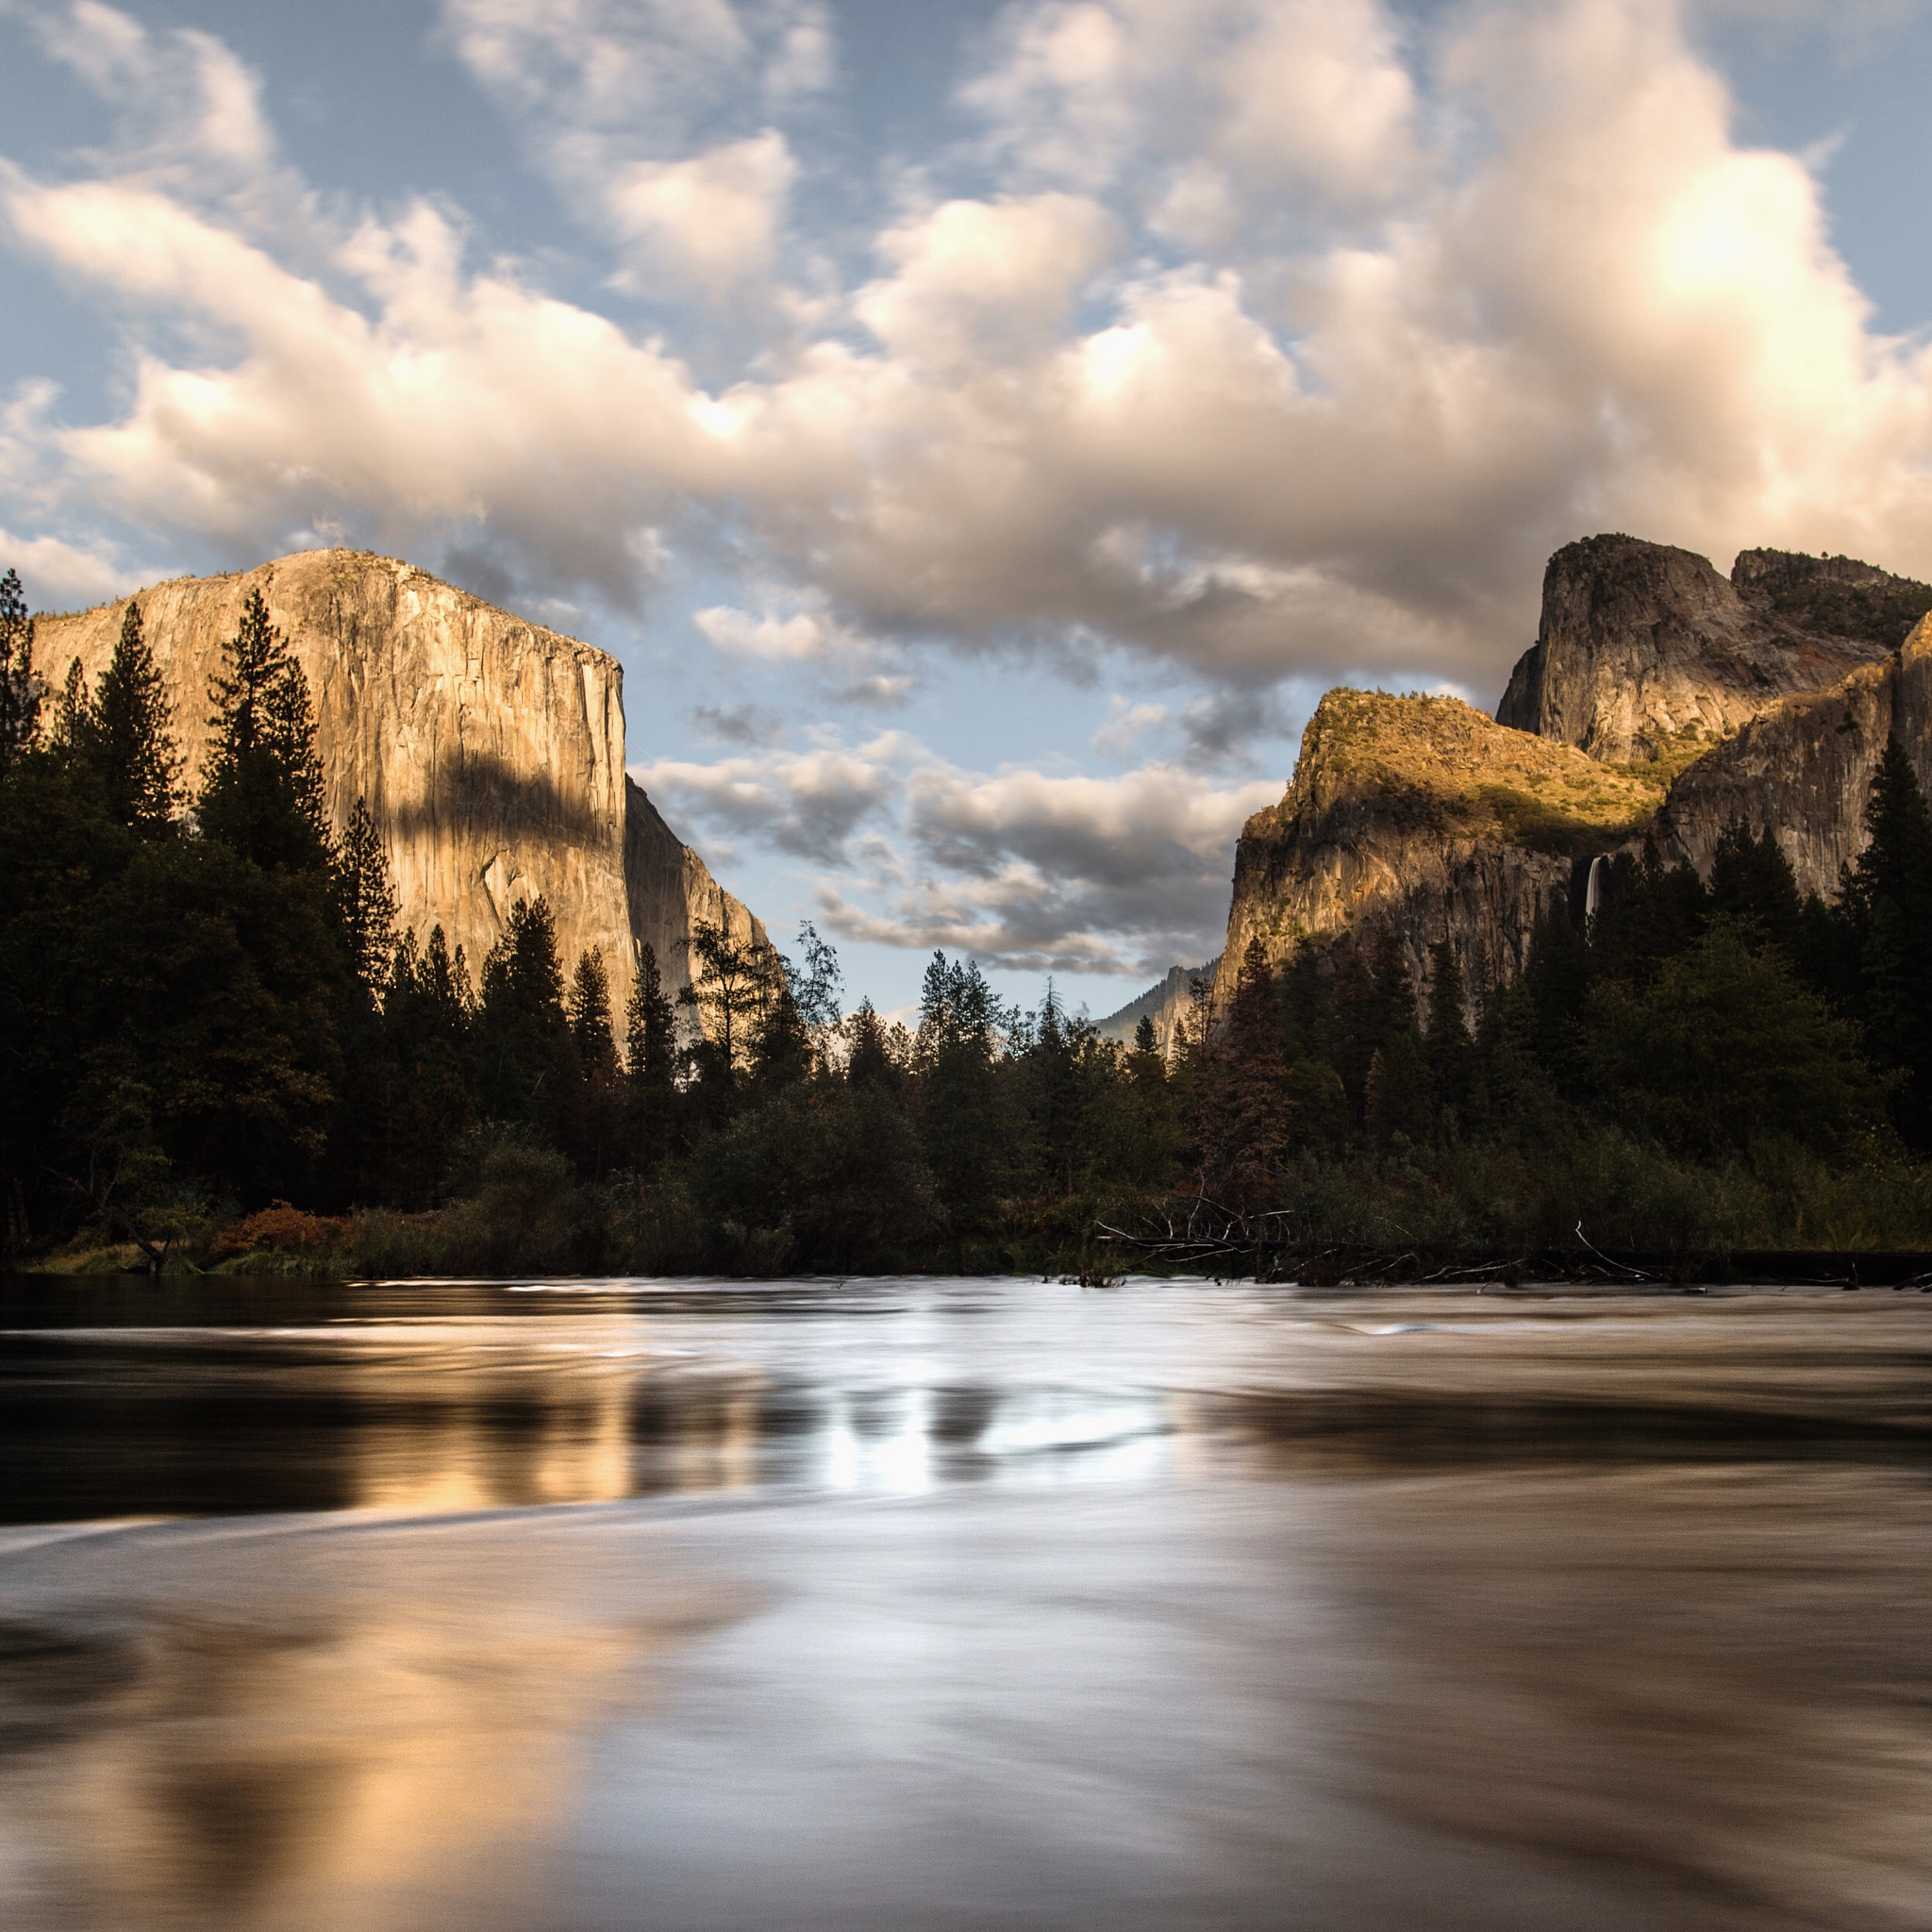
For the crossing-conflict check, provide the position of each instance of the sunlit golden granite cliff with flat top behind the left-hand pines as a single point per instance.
(490, 751)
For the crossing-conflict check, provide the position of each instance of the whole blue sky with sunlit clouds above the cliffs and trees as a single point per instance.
(982, 432)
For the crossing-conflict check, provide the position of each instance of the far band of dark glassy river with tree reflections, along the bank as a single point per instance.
(480, 1400)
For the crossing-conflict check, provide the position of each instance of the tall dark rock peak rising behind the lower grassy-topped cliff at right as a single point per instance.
(1645, 652)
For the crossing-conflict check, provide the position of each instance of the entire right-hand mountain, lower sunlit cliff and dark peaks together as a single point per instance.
(1659, 700)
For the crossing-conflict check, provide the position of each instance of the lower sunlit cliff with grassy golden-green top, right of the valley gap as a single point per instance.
(1429, 816)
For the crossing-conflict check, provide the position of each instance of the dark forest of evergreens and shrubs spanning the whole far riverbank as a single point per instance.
(219, 1052)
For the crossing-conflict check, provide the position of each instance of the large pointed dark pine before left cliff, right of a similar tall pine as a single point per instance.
(264, 783)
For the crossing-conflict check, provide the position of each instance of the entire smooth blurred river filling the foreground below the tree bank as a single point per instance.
(963, 1605)
